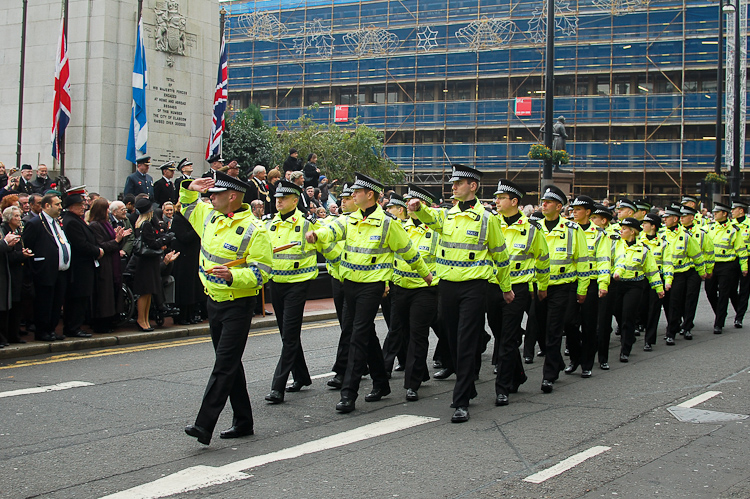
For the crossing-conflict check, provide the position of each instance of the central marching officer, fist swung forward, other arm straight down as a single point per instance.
(471, 253)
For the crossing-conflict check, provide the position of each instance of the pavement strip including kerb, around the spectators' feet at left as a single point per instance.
(315, 310)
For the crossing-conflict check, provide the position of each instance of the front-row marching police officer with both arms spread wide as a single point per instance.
(371, 239)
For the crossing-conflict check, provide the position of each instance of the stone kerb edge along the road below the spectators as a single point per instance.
(136, 337)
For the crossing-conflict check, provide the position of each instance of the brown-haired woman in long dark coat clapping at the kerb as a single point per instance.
(108, 299)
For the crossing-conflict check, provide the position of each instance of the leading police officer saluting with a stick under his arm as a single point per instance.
(228, 232)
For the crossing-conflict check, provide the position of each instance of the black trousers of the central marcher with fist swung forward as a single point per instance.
(463, 305)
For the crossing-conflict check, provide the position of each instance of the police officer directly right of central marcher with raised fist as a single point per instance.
(529, 264)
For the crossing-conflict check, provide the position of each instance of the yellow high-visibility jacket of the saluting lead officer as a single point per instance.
(225, 238)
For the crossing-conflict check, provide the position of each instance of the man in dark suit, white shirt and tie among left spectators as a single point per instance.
(49, 266)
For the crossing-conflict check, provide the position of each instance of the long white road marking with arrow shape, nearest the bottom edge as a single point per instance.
(199, 477)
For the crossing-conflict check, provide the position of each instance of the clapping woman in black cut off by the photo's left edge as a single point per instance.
(12, 256)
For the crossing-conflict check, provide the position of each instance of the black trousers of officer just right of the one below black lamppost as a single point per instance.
(582, 341)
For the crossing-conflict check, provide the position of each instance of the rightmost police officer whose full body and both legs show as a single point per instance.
(730, 254)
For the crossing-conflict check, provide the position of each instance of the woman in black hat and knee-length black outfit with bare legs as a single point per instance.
(147, 275)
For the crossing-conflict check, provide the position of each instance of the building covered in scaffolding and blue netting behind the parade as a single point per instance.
(462, 81)
